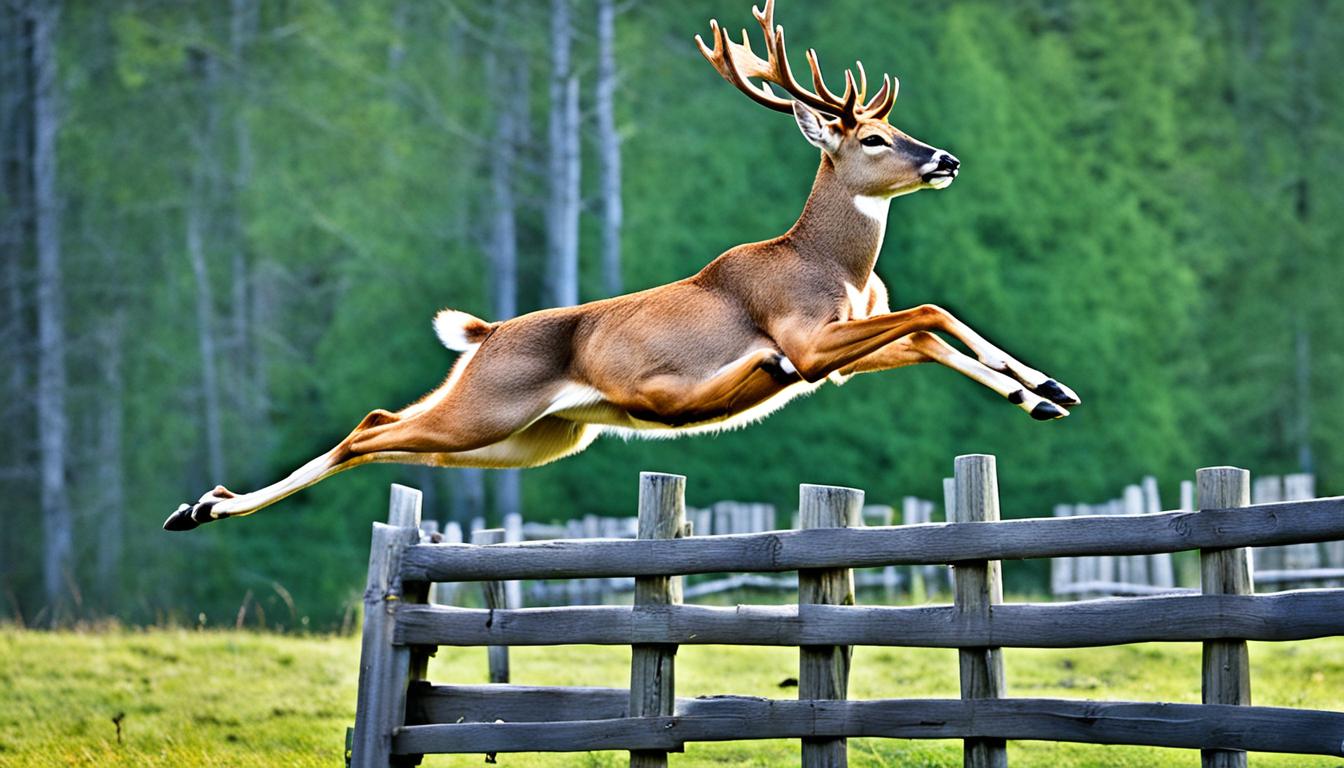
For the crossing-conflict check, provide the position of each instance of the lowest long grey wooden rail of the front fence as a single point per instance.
(733, 719)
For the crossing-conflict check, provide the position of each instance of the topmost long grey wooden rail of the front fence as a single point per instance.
(1263, 525)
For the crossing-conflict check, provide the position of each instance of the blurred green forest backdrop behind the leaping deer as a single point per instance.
(225, 229)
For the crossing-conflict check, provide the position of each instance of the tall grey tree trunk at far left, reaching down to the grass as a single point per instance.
(58, 529)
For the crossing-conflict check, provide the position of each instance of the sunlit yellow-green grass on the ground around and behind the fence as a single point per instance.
(244, 699)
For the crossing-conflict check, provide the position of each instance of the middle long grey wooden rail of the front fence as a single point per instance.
(1183, 618)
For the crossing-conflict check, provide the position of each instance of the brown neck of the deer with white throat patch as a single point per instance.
(839, 227)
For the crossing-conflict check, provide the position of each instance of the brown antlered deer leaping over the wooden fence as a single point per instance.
(760, 326)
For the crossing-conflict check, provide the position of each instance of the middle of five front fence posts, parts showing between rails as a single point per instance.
(825, 670)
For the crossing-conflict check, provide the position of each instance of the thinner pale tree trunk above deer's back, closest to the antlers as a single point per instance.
(610, 147)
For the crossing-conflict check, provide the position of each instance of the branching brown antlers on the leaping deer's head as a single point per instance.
(740, 67)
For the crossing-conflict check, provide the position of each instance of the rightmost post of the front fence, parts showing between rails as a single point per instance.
(1228, 676)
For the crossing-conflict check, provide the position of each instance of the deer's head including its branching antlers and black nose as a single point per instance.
(870, 157)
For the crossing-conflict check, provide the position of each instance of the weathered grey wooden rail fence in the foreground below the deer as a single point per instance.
(403, 716)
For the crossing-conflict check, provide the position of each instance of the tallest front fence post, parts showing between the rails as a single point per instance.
(979, 587)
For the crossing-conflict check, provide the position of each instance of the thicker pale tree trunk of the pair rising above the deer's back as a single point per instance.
(562, 212)
